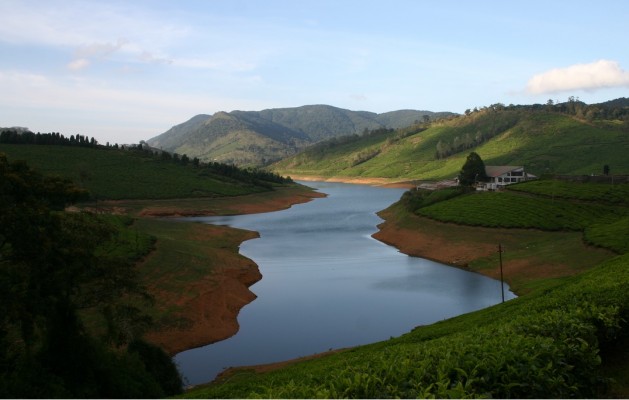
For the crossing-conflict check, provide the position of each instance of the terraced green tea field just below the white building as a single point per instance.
(600, 211)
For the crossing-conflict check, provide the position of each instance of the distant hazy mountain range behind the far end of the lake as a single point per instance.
(255, 138)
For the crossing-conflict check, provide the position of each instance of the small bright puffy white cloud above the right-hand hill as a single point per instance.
(597, 75)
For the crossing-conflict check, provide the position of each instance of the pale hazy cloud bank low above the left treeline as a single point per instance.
(95, 108)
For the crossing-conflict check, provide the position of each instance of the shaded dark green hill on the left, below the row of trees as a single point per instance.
(110, 173)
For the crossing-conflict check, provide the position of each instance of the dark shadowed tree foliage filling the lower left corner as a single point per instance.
(50, 269)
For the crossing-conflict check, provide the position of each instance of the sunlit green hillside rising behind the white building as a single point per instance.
(541, 139)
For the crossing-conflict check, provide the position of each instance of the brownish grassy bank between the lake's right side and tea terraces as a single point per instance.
(532, 257)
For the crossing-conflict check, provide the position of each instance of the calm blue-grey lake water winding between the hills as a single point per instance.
(328, 284)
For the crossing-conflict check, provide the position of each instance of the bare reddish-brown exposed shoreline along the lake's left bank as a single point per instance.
(210, 314)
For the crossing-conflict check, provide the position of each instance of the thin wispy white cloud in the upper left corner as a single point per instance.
(130, 32)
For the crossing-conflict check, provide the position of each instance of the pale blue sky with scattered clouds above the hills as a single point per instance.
(125, 71)
